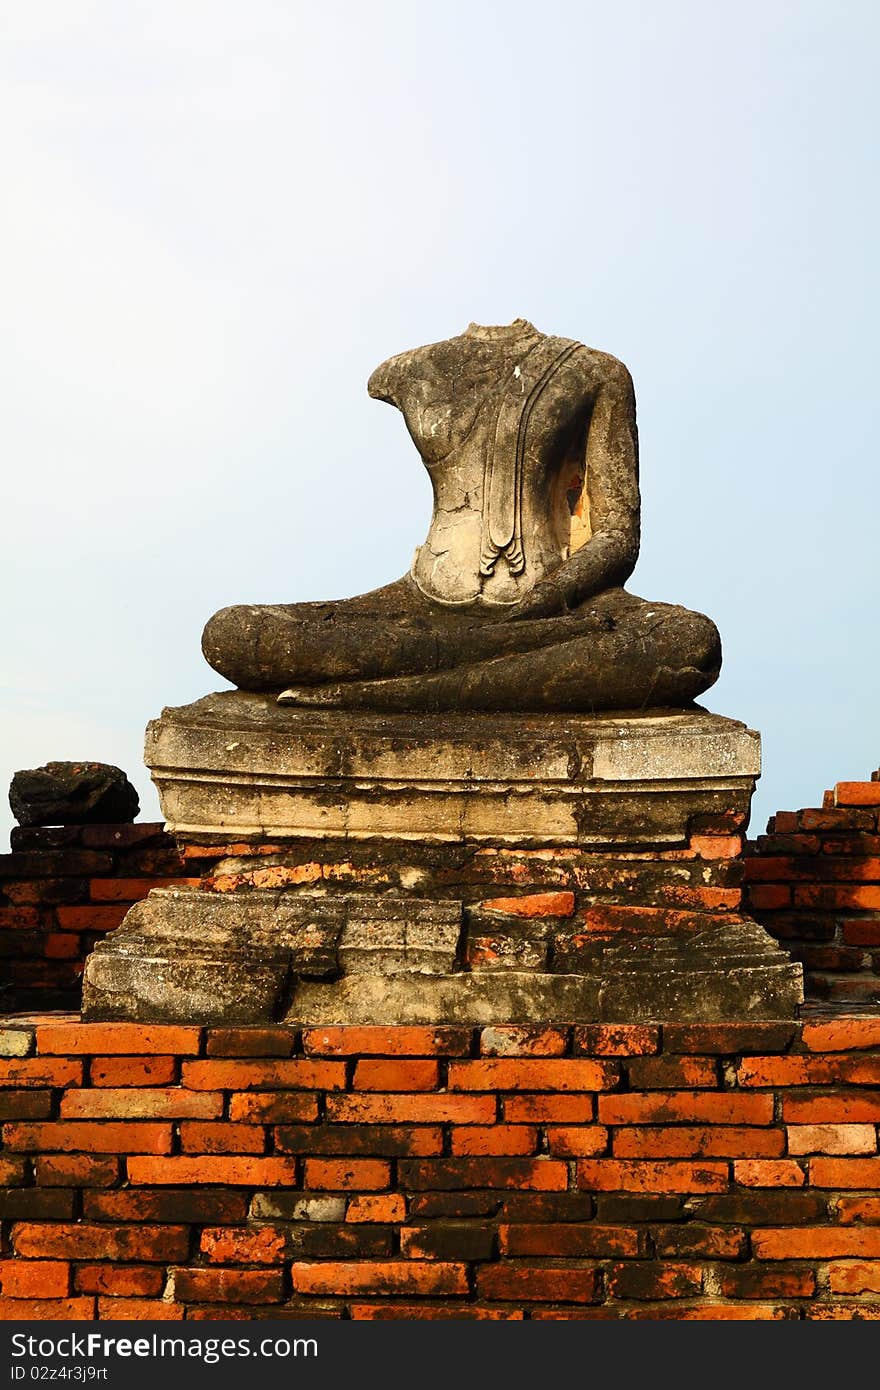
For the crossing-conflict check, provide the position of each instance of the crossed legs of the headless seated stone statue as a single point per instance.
(396, 651)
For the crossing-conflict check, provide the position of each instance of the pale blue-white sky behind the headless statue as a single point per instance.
(219, 218)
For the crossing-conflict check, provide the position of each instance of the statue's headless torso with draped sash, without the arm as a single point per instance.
(503, 440)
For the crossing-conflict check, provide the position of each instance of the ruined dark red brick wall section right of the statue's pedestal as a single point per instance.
(814, 882)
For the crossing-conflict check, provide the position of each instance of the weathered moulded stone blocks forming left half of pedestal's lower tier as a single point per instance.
(209, 958)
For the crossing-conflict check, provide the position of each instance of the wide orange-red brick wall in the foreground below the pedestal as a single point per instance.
(724, 1172)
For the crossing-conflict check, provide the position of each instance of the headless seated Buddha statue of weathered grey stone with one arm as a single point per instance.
(516, 600)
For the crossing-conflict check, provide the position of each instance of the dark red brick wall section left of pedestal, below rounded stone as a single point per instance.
(62, 889)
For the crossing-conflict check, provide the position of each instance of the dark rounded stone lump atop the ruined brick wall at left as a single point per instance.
(73, 794)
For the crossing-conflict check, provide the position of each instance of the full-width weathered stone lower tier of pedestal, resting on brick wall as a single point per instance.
(319, 958)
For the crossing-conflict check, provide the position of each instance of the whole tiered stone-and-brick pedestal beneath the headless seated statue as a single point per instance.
(362, 868)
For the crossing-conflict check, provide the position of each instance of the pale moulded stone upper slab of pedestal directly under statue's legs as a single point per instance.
(236, 767)
